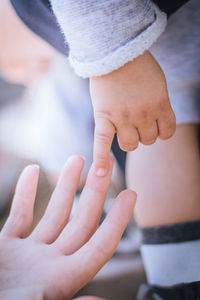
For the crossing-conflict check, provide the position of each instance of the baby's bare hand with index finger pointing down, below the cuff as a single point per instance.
(133, 102)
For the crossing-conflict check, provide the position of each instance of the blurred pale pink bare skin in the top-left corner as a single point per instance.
(24, 56)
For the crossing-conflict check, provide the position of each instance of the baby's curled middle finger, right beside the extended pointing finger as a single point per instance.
(128, 138)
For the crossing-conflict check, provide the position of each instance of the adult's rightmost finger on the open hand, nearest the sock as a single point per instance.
(94, 254)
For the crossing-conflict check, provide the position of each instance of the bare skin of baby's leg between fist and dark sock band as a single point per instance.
(166, 177)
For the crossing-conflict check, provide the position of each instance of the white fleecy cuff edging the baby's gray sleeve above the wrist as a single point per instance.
(125, 53)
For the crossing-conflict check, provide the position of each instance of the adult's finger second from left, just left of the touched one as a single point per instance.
(59, 208)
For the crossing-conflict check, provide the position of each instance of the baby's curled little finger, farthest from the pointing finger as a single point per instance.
(166, 124)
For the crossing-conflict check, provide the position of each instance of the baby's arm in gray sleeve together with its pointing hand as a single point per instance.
(107, 43)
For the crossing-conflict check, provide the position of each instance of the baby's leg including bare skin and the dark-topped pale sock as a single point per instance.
(166, 177)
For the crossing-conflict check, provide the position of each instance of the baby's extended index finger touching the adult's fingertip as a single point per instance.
(103, 137)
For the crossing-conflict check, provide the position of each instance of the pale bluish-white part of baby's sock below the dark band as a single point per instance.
(170, 264)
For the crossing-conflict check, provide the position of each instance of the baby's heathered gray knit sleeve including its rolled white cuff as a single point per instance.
(103, 35)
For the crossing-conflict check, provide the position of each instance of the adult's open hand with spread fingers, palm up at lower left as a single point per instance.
(57, 259)
